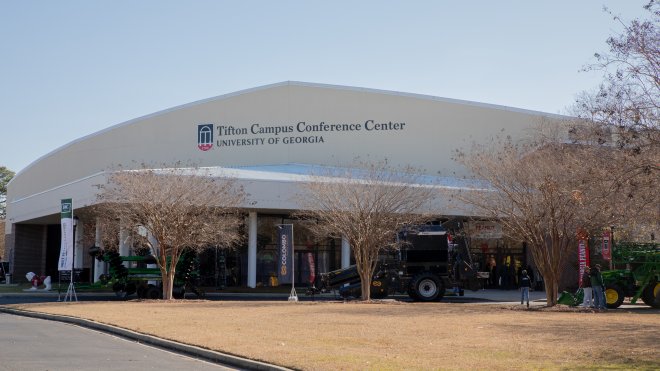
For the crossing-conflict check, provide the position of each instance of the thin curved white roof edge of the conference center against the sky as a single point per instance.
(296, 83)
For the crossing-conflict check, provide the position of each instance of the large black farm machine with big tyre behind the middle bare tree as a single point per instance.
(424, 267)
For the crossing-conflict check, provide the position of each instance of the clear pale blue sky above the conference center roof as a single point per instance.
(71, 68)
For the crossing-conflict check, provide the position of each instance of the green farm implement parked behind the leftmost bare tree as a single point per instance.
(142, 277)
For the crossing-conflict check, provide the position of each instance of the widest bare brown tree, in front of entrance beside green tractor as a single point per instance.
(542, 191)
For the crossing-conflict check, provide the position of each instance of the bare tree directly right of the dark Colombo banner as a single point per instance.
(368, 205)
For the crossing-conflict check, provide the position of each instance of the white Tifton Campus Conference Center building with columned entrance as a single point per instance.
(270, 138)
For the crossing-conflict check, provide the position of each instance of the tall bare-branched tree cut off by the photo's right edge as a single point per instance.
(621, 119)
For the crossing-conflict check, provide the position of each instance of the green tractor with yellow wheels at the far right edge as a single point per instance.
(639, 279)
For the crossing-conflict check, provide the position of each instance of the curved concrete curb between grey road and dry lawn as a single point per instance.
(189, 350)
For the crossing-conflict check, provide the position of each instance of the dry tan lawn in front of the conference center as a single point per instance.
(391, 336)
